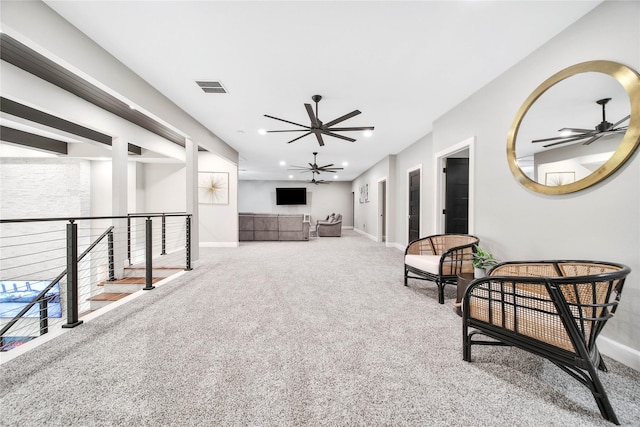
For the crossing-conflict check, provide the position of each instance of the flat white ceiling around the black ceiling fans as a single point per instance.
(403, 64)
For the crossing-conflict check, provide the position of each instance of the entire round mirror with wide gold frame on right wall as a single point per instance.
(548, 162)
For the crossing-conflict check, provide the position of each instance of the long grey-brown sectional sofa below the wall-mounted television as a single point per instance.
(255, 226)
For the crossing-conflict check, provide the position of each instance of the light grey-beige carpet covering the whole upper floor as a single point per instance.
(319, 333)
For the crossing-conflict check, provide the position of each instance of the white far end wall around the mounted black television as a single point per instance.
(322, 200)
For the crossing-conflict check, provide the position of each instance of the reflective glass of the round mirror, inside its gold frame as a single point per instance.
(572, 129)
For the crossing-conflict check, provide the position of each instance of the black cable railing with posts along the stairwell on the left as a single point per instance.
(53, 271)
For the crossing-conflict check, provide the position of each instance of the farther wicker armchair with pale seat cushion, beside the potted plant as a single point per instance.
(440, 259)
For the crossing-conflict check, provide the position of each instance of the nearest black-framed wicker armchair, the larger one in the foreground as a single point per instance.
(554, 309)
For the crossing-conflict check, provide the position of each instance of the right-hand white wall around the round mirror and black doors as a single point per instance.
(599, 223)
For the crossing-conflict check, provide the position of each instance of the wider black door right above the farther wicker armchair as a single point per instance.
(457, 196)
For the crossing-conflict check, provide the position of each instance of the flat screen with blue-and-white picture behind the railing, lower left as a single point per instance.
(16, 294)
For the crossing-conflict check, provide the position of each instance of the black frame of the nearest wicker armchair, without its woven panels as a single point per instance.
(582, 320)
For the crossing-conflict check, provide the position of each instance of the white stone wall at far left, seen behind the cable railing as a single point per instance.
(39, 188)
